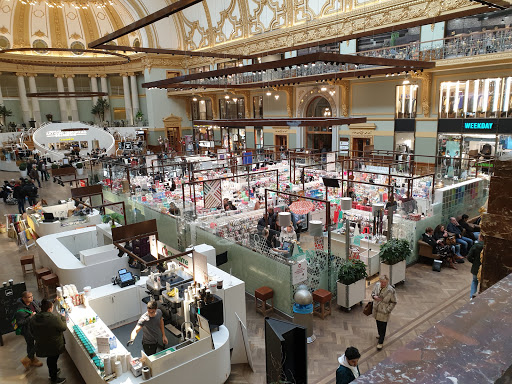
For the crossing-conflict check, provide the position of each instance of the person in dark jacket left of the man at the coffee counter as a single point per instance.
(25, 309)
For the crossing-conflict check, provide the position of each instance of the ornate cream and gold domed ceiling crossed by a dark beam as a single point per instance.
(32, 23)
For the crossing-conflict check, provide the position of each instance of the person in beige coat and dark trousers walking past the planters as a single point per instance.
(384, 301)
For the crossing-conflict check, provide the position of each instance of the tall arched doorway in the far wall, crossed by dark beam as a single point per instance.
(319, 137)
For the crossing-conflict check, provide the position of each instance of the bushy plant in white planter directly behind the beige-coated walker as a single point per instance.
(393, 255)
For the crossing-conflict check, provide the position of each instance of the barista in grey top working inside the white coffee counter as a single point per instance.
(152, 324)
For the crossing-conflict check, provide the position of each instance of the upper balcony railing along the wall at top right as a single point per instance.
(469, 44)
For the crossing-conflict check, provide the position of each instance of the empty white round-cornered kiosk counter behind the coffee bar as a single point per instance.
(84, 257)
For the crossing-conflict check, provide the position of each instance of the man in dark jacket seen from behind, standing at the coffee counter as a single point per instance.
(48, 330)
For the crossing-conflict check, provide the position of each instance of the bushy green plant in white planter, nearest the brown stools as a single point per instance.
(351, 283)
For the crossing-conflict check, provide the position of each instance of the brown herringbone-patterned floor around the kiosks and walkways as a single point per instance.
(425, 298)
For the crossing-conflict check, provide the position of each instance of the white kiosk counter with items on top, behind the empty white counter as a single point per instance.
(62, 222)
